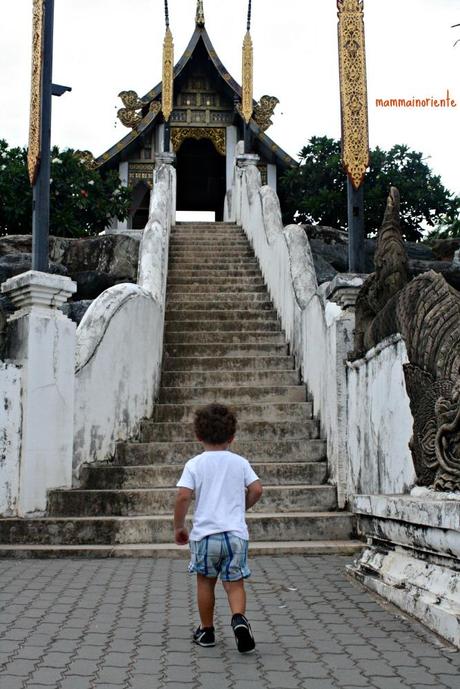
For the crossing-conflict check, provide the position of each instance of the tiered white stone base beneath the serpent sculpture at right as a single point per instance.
(413, 556)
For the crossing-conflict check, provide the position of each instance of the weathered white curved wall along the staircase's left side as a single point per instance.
(120, 342)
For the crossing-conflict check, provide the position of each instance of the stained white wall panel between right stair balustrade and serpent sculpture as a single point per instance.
(379, 422)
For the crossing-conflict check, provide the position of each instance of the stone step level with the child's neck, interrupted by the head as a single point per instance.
(257, 451)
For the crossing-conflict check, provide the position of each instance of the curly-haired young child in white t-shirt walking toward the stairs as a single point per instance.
(225, 486)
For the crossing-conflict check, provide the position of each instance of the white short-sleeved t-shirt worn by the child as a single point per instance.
(219, 480)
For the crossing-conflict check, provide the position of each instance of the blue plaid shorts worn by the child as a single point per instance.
(221, 554)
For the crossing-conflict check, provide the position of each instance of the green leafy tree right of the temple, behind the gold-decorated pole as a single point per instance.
(316, 191)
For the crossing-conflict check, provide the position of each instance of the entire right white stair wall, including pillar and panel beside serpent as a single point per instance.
(363, 408)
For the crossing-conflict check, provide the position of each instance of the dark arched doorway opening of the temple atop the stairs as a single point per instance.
(200, 177)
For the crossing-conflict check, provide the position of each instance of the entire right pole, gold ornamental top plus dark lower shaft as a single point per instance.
(354, 116)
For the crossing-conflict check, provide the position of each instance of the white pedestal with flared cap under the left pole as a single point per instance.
(42, 342)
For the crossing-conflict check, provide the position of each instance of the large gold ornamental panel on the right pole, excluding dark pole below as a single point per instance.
(353, 90)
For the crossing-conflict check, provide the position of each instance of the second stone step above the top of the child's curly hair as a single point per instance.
(184, 379)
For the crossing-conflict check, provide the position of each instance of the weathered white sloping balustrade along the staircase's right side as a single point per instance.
(319, 331)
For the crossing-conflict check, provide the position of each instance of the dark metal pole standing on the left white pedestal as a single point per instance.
(41, 189)
